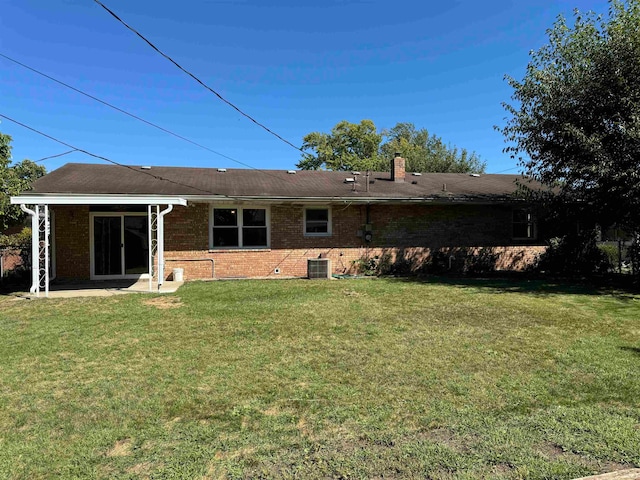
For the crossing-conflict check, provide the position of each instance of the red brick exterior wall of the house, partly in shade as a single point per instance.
(408, 231)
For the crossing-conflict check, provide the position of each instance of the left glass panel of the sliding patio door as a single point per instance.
(107, 243)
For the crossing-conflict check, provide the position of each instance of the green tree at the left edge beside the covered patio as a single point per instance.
(14, 179)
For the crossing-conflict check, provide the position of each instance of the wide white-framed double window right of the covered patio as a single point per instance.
(239, 227)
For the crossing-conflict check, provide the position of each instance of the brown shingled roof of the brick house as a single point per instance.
(76, 178)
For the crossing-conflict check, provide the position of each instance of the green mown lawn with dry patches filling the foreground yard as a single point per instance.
(375, 378)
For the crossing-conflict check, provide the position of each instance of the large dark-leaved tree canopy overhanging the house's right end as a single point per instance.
(575, 117)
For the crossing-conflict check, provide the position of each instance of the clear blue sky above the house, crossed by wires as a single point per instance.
(296, 66)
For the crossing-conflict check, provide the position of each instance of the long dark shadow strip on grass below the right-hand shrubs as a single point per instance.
(535, 286)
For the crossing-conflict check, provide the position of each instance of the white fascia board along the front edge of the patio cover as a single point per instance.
(52, 199)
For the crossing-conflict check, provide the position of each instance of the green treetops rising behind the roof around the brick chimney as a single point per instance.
(353, 146)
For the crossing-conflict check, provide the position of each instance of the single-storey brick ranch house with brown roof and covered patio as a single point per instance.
(112, 222)
